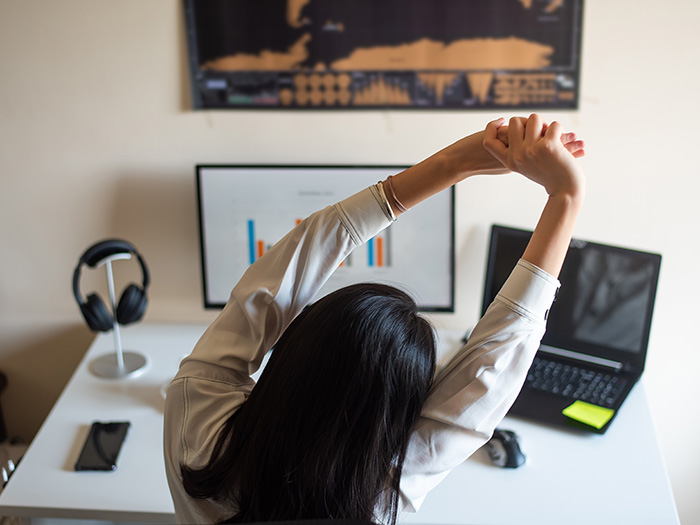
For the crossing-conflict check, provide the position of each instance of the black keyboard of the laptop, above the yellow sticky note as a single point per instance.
(574, 382)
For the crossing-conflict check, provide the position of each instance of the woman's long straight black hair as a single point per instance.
(324, 432)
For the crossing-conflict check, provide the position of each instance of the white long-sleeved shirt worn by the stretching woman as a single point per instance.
(470, 395)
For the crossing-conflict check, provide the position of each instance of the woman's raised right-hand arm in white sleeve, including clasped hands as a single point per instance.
(477, 386)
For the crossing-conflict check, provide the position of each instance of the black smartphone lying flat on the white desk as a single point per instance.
(102, 446)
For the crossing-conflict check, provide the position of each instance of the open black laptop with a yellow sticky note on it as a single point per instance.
(595, 346)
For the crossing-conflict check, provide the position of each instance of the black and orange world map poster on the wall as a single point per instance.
(363, 54)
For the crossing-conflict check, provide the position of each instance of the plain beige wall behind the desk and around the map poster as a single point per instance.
(96, 140)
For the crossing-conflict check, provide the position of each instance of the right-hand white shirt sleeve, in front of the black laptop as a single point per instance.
(473, 392)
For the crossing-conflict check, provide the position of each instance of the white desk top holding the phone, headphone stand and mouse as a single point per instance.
(568, 478)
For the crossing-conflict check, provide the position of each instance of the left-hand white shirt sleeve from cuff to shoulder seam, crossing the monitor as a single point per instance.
(283, 281)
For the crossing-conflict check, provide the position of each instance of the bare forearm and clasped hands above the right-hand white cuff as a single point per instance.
(538, 152)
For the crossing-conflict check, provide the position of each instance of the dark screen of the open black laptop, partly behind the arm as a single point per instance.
(606, 300)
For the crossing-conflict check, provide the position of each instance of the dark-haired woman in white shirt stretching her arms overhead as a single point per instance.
(348, 419)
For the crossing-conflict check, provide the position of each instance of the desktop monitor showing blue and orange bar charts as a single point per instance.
(244, 210)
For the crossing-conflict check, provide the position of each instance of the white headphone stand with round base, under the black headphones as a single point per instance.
(120, 364)
